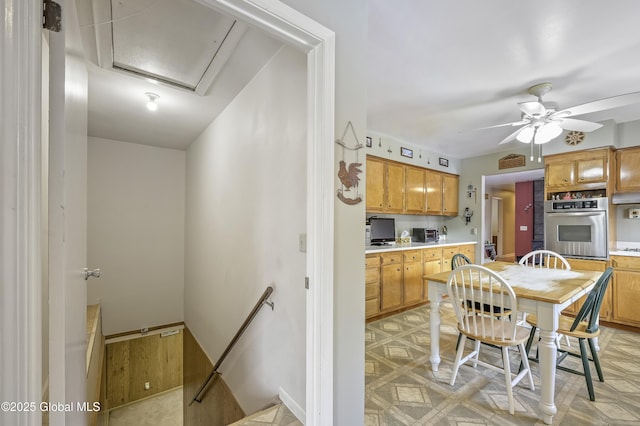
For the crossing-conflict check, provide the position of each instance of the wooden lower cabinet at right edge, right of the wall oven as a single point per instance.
(626, 290)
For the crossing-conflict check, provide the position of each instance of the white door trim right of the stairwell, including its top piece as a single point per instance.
(318, 43)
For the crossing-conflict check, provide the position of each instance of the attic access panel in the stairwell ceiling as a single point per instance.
(174, 41)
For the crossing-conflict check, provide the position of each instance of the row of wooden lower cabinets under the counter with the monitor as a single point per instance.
(395, 280)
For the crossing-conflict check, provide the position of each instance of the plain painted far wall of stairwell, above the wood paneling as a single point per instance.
(135, 233)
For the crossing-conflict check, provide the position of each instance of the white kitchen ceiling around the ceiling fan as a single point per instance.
(439, 69)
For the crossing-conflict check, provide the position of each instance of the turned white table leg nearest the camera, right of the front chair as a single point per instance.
(548, 353)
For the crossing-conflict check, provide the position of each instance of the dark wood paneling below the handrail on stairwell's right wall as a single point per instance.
(218, 407)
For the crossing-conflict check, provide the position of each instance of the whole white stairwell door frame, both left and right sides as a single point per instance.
(20, 259)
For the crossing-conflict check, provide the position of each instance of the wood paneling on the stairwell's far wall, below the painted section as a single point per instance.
(131, 363)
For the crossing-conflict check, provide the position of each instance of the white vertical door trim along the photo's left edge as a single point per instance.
(20, 186)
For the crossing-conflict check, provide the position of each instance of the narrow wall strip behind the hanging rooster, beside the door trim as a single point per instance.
(349, 20)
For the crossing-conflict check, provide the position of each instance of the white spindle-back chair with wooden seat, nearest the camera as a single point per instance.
(483, 302)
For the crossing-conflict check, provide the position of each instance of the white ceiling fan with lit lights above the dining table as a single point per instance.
(543, 121)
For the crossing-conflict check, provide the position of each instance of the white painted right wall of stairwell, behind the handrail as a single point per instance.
(245, 209)
